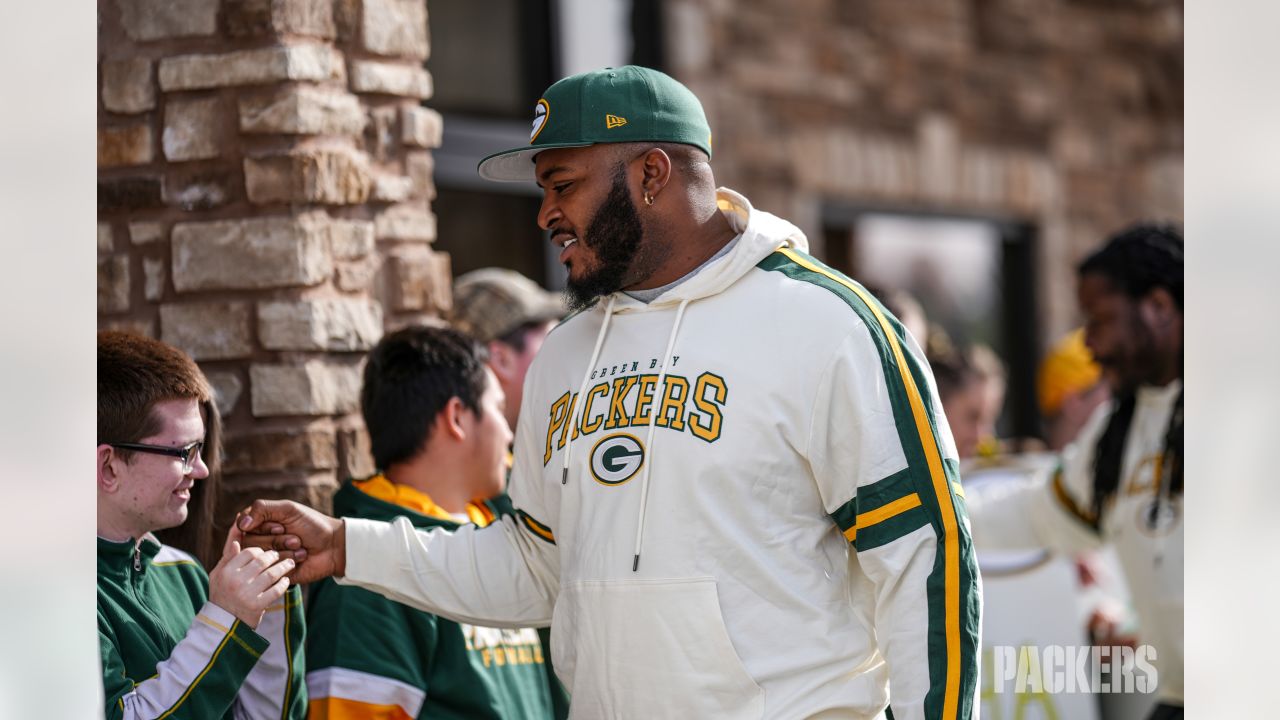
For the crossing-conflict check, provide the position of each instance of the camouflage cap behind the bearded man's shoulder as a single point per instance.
(493, 302)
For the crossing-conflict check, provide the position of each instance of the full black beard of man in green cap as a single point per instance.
(615, 236)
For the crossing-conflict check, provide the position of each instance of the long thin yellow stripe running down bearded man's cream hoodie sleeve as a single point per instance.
(941, 487)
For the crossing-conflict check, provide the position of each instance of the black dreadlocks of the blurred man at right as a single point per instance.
(1136, 262)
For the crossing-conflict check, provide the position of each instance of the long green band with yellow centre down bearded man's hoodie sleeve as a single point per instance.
(952, 587)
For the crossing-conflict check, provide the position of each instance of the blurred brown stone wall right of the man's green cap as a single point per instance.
(1067, 115)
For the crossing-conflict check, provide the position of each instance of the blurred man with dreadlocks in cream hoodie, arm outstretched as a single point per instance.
(1122, 481)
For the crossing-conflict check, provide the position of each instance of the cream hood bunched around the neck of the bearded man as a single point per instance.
(760, 235)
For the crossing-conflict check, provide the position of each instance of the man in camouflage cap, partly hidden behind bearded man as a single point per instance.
(510, 315)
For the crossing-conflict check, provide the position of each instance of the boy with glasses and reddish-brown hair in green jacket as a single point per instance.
(177, 642)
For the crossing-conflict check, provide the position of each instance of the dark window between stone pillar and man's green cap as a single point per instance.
(491, 63)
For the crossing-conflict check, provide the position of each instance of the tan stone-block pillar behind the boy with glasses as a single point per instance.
(264, 203)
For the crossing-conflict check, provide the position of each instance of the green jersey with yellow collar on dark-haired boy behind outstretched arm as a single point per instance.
(376, 658)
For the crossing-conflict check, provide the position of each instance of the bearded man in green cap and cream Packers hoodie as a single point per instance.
(738, 495)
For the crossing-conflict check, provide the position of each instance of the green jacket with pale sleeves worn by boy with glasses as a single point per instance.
(170, 653)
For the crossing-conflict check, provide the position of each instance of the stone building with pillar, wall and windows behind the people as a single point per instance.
(282, 181)
